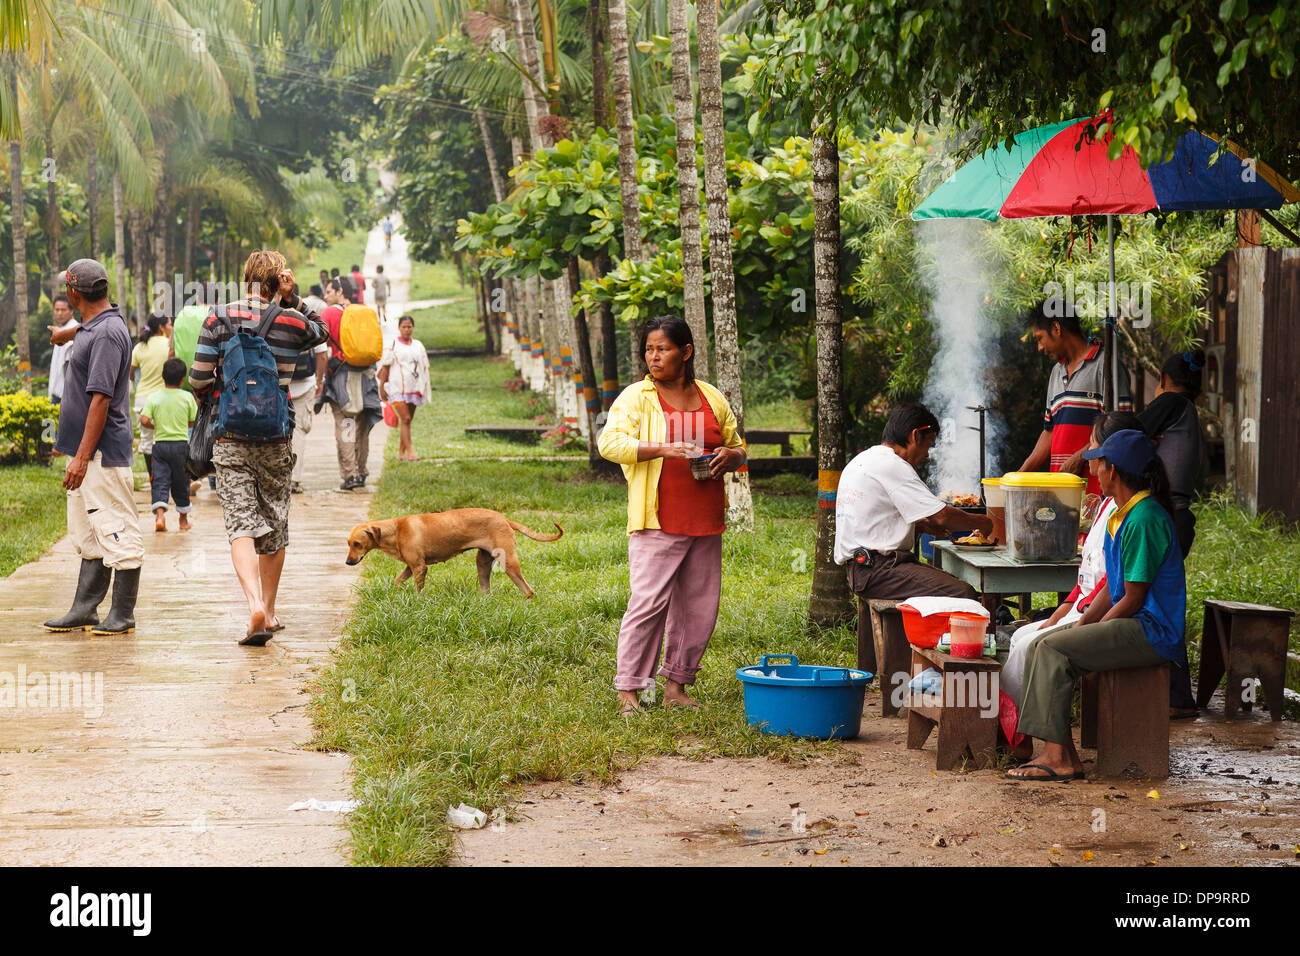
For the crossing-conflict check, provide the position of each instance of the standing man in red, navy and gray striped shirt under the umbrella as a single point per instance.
(1076, 393)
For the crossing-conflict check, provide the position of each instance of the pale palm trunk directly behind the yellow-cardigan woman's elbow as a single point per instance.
(713, 123)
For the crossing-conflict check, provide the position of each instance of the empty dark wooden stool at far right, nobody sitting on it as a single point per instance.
(1246, 641)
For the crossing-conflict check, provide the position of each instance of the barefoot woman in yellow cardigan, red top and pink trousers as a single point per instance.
(675, 522)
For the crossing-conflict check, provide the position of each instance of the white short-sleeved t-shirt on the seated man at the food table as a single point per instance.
(879, 500)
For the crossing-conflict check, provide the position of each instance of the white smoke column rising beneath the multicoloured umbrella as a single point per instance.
(956, 270)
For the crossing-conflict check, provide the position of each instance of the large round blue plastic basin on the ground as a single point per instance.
(803, 700)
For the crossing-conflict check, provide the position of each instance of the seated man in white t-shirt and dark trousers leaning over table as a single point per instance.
(882, 504)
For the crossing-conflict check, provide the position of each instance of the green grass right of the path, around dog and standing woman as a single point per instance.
(452, 695)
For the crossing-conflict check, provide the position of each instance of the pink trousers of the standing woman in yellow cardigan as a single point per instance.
(677, 585)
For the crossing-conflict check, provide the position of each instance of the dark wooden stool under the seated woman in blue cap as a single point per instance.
(1125, 717)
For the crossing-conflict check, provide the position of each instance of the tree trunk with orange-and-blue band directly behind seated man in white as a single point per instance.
(830, 603)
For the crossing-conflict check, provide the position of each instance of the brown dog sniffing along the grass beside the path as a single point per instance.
(423, 540)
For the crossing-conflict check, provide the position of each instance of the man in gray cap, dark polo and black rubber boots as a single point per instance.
(96, 434)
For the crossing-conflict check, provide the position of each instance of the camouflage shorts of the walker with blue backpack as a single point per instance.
(254, 485)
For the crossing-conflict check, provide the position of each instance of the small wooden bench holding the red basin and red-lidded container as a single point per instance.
(964, 729)
